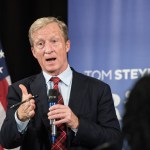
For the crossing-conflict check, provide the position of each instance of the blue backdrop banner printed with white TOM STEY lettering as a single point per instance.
(110, 40)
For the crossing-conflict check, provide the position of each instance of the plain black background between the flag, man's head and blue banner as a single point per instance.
(16, 16)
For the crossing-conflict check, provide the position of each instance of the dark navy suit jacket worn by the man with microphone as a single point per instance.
(90, 99)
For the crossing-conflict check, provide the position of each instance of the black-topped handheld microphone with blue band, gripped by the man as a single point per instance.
(52, 100)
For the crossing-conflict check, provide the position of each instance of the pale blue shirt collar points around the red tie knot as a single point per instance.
(65, 77)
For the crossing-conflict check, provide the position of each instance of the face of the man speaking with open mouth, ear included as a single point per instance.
(50, 49)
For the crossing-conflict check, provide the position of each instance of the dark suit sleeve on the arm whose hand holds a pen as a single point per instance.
(10, 136)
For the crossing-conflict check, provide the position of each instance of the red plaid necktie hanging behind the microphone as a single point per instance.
(60, 143)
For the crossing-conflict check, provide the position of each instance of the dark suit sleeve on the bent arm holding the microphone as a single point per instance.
(105, 128)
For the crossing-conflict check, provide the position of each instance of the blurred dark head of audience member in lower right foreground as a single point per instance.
(136, 120)
